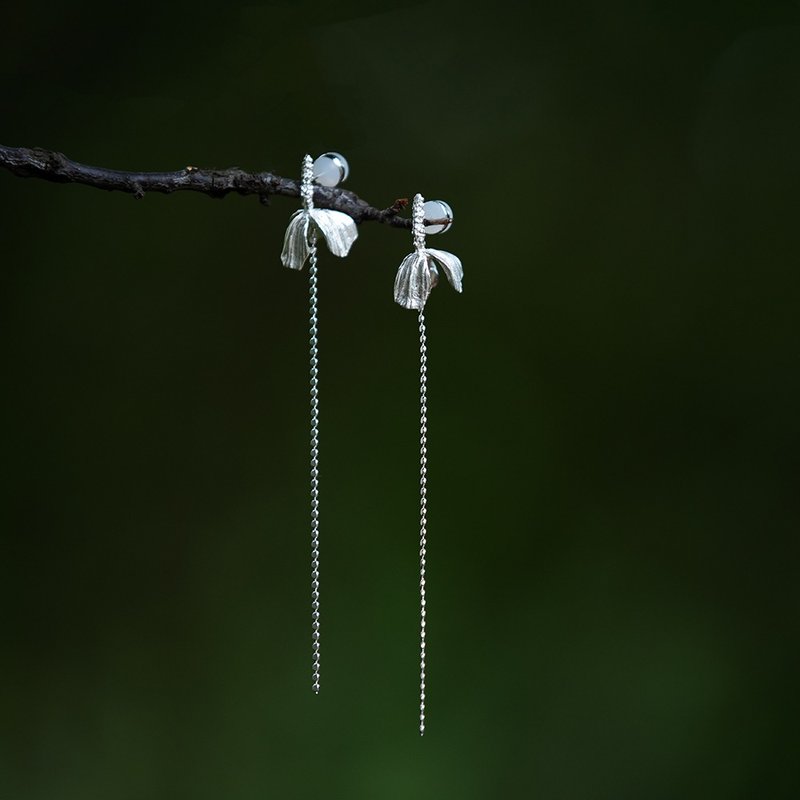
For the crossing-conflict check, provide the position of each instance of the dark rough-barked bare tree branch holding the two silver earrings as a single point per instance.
(34, 162)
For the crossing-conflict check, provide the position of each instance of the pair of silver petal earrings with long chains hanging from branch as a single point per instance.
(416, 277)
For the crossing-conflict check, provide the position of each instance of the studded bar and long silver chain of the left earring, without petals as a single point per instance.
(307, 193)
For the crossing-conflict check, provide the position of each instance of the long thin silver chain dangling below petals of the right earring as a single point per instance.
(423, 508)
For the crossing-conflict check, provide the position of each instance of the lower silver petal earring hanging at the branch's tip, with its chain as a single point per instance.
(417, 276)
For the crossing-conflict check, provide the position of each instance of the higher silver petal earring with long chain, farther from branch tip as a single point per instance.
(300, 244)
